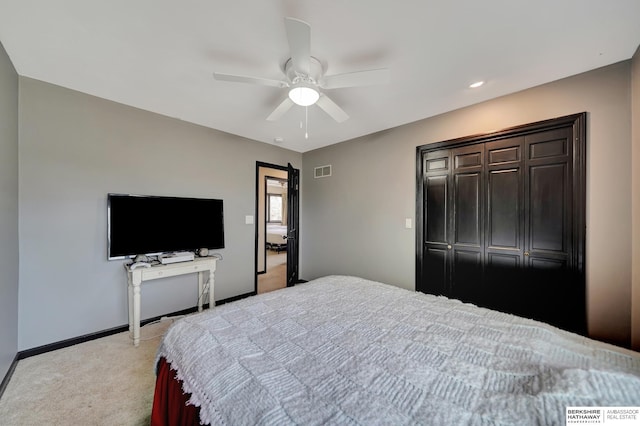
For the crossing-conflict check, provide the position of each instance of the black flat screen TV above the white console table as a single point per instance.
(152, 225)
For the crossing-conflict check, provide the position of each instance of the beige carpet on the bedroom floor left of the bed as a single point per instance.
(106, 381)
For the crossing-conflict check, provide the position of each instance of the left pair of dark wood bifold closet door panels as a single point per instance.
(453, 231)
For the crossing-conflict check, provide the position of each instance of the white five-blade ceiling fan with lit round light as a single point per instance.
(305, 79)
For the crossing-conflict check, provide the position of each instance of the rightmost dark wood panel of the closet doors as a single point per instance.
(552, 285)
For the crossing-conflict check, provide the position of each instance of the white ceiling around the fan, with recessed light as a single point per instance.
(160, 55)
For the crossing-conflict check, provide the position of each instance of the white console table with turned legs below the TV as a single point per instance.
(203, 266)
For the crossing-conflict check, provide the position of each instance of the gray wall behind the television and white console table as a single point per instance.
(76, 148)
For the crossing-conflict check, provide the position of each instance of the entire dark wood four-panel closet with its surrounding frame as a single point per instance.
(501, 220)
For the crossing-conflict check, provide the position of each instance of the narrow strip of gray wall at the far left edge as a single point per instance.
(8, 213)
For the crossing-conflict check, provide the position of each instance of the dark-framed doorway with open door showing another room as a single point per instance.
(276, 227)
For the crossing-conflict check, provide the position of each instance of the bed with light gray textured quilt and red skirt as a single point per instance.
(347, 350)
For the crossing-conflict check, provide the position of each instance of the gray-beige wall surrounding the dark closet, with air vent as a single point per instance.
(355, 219)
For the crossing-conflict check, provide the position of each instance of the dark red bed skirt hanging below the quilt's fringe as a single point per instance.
(170, 406)
